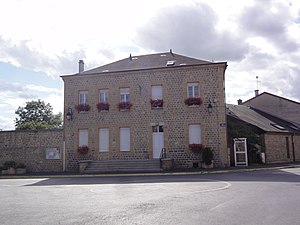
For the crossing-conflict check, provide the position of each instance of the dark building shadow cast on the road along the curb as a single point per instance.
(283, 175)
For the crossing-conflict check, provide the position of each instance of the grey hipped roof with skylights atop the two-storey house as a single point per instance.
(152, 61)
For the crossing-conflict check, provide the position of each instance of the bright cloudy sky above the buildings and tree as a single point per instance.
(41, 40)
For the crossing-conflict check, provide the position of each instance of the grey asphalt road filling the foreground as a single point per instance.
(265, 198)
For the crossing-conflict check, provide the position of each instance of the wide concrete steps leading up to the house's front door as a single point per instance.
(115, 166)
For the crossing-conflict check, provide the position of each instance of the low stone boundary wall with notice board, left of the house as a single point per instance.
(32, 147)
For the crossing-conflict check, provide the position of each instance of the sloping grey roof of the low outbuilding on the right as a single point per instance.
(252, 117)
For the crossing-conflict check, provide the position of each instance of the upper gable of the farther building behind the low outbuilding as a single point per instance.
(276, 105)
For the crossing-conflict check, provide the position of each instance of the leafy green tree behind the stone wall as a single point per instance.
(37, 115)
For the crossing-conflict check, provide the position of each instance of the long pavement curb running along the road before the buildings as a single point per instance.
(202, 172)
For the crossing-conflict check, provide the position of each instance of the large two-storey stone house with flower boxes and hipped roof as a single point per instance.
(132, 108)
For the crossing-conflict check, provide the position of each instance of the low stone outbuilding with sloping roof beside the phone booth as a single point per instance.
(276, 138)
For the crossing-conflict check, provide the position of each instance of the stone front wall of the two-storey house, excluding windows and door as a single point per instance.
(175, 116)
